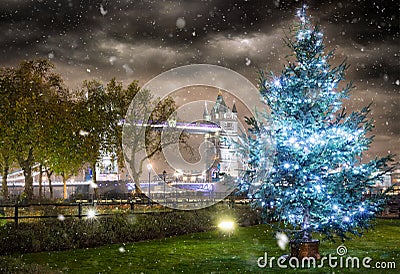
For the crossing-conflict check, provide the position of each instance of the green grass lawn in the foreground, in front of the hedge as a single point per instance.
(214, 252)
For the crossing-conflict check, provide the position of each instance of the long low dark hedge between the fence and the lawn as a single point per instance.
(53, 234)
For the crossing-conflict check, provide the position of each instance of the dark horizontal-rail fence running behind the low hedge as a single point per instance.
(87, 207)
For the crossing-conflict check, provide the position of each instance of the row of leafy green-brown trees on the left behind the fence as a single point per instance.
(44, 123)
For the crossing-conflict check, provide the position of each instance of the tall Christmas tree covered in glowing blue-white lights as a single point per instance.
(311, 178)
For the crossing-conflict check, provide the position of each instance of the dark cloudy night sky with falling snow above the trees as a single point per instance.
(141, 39)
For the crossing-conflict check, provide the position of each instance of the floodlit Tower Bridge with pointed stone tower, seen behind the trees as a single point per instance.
(219, 128)
